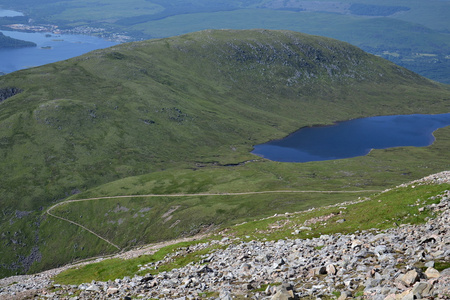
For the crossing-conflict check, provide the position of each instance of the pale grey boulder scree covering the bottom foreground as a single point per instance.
(367, 265)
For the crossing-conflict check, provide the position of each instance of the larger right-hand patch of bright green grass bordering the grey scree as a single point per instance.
(399, 206)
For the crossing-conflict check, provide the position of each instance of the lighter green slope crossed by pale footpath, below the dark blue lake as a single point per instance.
(134, 221)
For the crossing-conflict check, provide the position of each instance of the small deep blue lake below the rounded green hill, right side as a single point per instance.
(354, 138)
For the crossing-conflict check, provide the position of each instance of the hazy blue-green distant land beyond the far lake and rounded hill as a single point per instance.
(410, 33)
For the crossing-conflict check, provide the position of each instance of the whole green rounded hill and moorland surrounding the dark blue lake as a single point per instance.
(164, 129)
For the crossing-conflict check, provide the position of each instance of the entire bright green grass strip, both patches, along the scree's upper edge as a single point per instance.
(395, 207)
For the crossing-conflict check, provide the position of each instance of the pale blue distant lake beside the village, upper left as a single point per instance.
(50, 48)
